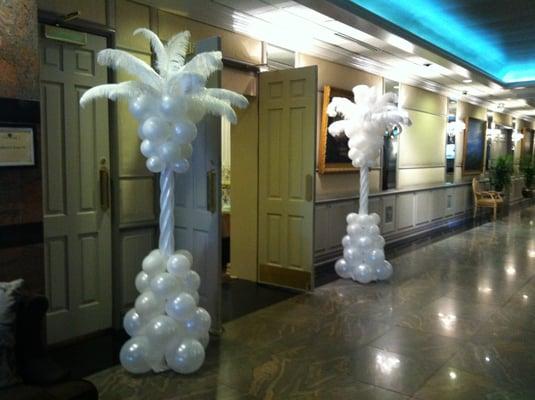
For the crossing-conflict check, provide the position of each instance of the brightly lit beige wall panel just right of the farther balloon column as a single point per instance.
(422, 146)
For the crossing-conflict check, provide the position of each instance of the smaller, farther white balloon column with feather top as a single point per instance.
(365, 122)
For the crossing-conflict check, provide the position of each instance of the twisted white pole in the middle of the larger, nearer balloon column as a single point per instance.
(167, 208)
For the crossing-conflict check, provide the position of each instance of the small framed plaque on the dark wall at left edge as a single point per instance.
(16, 147)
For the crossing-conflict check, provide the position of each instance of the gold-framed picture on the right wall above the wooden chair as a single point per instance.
(474, 146)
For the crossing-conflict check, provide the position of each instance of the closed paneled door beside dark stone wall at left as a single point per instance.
(77, 221)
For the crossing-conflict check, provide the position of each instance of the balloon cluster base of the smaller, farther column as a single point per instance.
(364, 257)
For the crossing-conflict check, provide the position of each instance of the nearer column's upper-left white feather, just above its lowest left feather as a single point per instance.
(121, 59)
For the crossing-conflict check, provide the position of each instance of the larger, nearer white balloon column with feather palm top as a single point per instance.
(167, 327)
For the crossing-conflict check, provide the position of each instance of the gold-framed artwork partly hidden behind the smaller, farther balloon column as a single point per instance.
(332, 154)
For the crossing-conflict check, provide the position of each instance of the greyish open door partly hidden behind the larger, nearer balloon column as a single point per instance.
(197, 204)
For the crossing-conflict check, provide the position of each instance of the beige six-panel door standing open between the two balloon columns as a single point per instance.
(287, 149)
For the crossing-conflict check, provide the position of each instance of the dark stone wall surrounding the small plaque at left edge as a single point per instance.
(21, 208)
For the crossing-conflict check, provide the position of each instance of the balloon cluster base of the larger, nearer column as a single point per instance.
(167, 327)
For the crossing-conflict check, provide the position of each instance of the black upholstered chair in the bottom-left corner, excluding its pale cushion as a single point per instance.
(42, 378)
